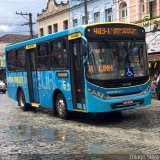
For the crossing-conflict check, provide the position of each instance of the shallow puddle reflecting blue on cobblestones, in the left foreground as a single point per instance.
(50, 134)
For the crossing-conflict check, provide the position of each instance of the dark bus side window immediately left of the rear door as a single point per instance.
(20, 59)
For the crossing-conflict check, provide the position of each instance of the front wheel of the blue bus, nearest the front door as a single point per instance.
(60, 105)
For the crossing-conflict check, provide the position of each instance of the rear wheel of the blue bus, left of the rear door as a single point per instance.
(22, 101)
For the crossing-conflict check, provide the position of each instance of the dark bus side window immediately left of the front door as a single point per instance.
(58, 54)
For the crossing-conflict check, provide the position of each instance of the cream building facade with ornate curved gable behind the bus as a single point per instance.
(54, 18)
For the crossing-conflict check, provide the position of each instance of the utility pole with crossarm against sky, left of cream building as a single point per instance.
(30, 23)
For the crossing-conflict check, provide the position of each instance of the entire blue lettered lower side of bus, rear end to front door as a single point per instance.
(47, 81)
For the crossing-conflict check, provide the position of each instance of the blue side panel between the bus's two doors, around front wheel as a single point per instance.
(48, 82)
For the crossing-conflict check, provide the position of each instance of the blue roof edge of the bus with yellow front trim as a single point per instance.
(60, 34)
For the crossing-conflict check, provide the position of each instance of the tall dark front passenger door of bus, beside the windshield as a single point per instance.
(77, 74)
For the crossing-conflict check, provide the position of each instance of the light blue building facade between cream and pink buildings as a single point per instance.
(98, 11)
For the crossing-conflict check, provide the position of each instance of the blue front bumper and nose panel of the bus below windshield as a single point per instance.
(96, 104)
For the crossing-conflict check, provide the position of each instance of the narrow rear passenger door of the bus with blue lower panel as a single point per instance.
(32, 76)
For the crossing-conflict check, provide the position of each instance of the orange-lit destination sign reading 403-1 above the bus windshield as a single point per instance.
(118, 30)
